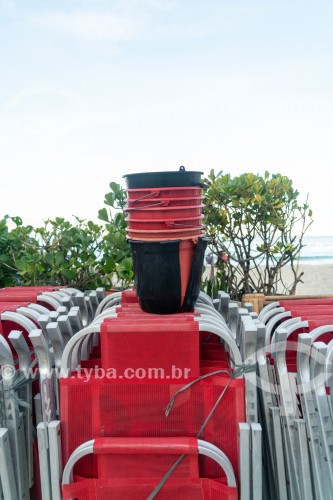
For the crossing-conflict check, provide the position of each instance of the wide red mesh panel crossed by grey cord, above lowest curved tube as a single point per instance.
(136, 408)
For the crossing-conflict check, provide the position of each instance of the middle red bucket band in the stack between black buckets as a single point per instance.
(162, 213)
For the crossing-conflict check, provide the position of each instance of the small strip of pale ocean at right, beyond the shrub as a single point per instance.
(317, 250)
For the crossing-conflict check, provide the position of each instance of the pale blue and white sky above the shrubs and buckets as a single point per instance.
(92, 90)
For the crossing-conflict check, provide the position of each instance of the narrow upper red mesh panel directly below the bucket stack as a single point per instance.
(160, 344)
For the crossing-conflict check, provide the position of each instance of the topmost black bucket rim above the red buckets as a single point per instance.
(178, 178)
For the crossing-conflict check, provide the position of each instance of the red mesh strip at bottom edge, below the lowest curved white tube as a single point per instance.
(198, 489)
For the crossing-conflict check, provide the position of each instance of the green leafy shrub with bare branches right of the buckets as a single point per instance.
(260, 223)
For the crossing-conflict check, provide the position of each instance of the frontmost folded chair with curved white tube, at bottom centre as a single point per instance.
(157, 455)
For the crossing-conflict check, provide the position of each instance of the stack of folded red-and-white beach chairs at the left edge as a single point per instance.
(35, 324)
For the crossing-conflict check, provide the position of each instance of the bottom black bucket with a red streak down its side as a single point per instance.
(158, 275)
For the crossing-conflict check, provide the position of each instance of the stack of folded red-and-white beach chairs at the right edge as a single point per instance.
(296, 380)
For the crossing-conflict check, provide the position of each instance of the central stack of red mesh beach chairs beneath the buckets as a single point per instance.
(140, 441)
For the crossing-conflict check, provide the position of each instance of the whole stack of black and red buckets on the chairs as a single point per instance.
(167, 238)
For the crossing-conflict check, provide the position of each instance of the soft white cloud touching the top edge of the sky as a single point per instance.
(148, 18)
